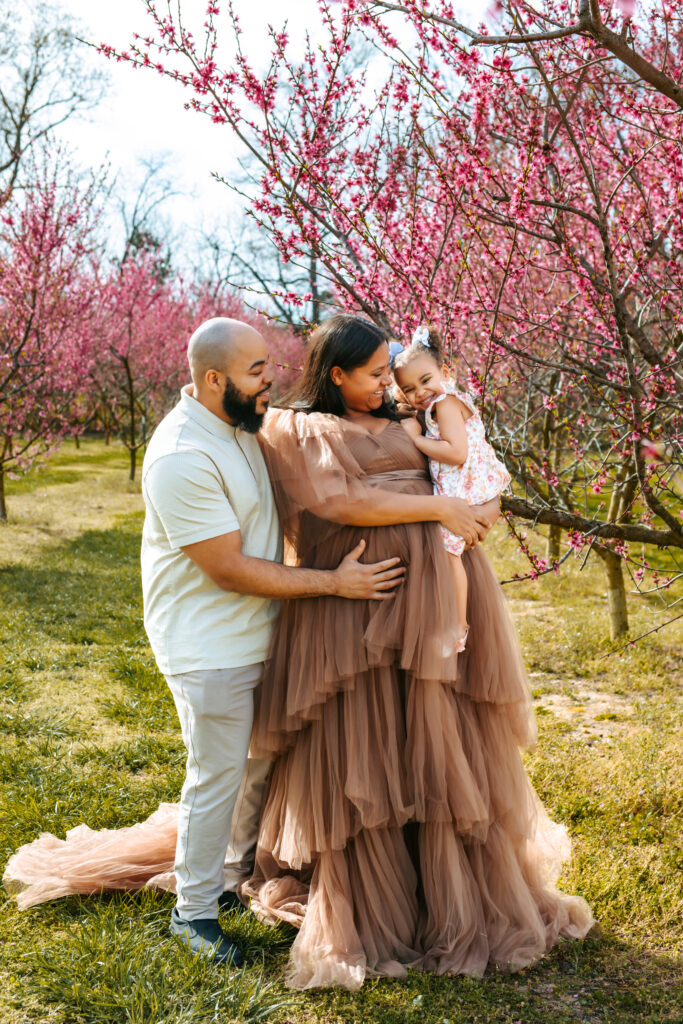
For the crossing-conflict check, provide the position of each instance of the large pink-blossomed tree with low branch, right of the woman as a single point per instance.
(521, 187)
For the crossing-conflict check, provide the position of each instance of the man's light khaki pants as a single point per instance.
(224, 789)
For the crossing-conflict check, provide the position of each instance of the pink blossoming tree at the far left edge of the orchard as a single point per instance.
(48, 258)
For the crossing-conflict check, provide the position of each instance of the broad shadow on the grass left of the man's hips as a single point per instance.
(82, 604)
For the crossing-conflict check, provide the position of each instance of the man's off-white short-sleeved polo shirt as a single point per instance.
(201, 479)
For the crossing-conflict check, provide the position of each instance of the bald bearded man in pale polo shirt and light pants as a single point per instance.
(212, 575)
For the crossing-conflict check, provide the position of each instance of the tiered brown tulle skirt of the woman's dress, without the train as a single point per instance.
(400, 828)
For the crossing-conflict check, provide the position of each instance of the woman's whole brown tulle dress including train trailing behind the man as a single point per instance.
(400, 828)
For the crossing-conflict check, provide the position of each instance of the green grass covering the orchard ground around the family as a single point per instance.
(89, 734)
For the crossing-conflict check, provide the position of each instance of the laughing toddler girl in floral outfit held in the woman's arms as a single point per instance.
(462, 463)
